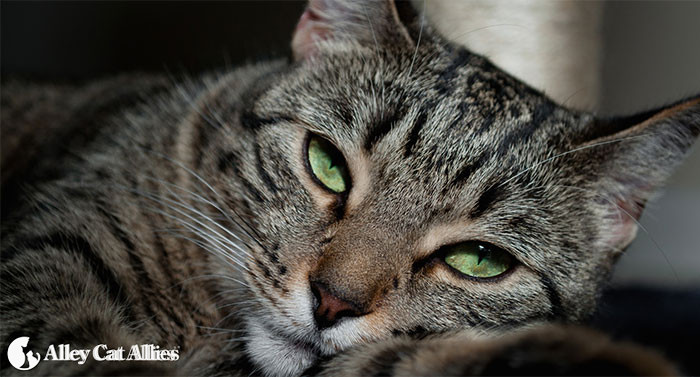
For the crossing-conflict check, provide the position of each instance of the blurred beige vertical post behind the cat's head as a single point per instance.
(554, 46)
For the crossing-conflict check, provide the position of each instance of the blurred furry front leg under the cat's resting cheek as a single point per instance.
(543, 350)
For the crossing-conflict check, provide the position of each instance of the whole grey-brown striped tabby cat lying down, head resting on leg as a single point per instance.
(386, 203)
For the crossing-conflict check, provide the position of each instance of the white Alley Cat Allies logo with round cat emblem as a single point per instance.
(23, 358)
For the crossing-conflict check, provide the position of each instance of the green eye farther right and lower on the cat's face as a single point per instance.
(479, 260)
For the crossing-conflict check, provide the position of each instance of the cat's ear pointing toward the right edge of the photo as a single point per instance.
(629, 157)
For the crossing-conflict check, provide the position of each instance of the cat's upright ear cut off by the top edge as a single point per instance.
(370, 22)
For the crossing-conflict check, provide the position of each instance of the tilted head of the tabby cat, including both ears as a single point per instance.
(396, 186)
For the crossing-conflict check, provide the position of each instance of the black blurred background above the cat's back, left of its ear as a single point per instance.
(57, 40)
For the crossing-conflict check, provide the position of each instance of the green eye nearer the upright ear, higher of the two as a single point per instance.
(328, 165)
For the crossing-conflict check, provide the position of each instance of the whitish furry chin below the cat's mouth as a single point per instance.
(277, 355)
